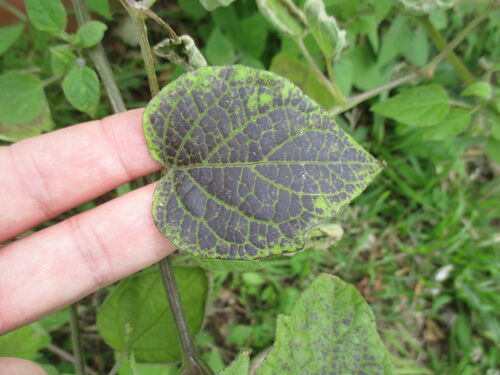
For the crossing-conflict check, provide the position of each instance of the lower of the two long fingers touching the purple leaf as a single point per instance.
(67, 261)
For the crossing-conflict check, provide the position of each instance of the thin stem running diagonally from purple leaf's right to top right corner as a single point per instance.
(428, 71)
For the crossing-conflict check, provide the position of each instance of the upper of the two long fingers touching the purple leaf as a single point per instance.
(43, 176)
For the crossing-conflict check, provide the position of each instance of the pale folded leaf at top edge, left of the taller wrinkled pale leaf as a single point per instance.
(282, 18)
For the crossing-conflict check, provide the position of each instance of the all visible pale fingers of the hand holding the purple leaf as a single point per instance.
(44, 176)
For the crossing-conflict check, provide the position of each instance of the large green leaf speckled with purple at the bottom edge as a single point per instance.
(331, 330)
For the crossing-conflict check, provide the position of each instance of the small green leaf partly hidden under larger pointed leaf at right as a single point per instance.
(455, 122)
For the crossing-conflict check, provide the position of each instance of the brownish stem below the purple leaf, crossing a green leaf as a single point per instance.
(188, 348)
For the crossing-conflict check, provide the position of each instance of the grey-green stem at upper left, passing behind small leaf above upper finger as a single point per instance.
(98, 57)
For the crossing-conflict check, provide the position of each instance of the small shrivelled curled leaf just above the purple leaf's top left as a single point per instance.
(185, 53)
